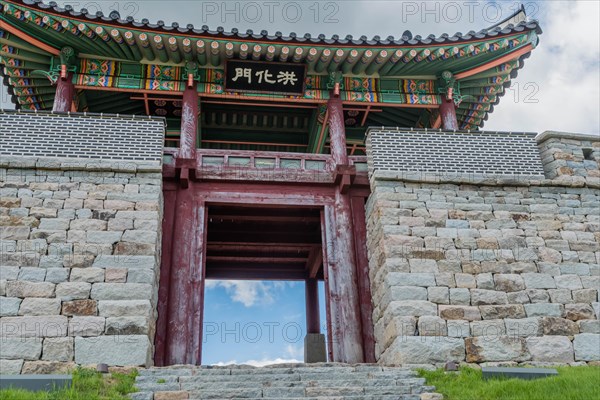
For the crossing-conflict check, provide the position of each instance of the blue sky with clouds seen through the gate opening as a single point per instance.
(255, 323)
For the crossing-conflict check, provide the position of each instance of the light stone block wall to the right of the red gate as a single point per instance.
(486, 268)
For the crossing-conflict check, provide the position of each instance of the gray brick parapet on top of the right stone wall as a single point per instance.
(450, 152)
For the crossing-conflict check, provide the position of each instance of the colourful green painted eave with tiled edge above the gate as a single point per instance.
(130, 56)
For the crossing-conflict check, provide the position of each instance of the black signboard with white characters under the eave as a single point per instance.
(265, 77)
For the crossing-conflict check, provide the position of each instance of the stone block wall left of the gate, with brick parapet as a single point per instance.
(80, 243)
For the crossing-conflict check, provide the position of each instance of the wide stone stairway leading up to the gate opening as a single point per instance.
(326, 381)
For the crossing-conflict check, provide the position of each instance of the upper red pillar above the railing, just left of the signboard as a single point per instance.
(189, 122)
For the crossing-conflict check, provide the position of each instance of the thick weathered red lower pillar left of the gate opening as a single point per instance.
(186, 284)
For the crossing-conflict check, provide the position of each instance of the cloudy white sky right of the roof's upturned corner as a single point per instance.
(564, 69)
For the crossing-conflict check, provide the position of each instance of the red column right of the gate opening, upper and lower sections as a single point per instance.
(343, 289)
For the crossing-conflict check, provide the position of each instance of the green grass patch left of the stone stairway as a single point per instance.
(87, 385)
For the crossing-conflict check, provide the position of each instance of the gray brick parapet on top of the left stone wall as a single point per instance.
(81, 135)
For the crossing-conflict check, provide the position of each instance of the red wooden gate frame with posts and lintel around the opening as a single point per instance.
(184, 262)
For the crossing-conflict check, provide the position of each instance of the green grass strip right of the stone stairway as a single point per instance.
(572, 383)
